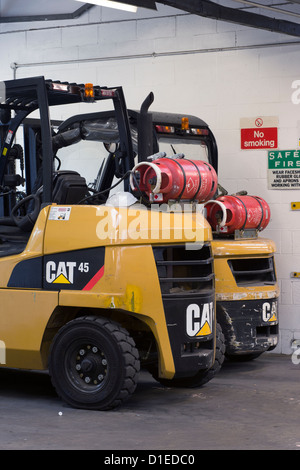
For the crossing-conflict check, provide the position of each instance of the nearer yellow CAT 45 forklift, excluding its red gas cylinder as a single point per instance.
(86, 290)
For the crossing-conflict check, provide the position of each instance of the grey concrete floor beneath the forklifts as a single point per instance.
(254, 405)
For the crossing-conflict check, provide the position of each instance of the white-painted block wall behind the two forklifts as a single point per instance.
(219, 86)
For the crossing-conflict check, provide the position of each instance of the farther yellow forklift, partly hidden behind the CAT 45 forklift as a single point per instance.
(247, 290)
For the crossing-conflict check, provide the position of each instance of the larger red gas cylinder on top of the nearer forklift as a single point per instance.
(176, 178)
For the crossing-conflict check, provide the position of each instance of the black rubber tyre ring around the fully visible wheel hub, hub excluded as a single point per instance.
(118, 338)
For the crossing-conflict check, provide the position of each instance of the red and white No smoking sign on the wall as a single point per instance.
(259, 133)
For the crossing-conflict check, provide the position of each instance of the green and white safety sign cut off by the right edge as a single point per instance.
(284, 169)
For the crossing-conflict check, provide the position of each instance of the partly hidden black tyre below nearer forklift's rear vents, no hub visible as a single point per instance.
(202, 377)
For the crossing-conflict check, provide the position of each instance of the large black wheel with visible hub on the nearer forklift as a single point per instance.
(94, 363)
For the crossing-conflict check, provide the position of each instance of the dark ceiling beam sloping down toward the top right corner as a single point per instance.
(215, 11)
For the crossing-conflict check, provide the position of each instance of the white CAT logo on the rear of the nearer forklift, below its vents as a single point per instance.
(199, 320)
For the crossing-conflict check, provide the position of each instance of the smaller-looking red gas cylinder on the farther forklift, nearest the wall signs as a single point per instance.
(242, 212)
